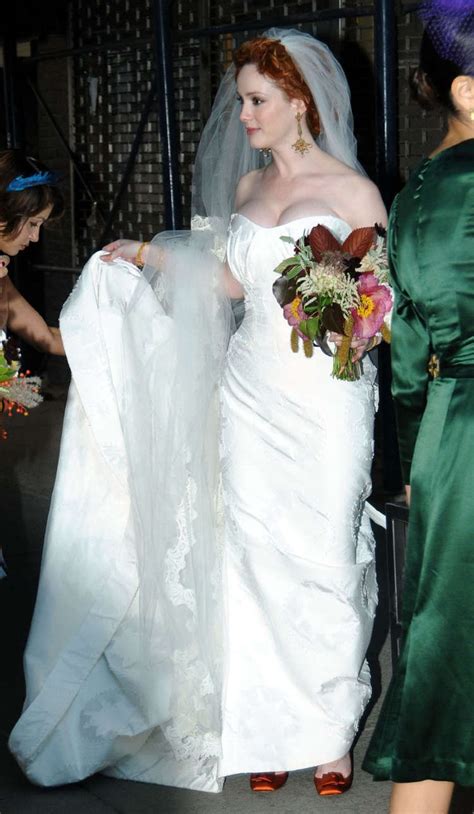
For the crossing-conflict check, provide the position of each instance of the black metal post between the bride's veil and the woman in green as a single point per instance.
(386, 98)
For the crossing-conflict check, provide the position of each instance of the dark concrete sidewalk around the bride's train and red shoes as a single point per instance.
(27, 473)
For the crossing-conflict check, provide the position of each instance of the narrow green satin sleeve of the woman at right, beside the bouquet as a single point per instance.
(410, 352)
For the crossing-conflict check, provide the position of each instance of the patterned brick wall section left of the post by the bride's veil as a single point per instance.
(110, 91)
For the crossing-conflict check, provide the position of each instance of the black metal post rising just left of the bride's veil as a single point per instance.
(165, 88)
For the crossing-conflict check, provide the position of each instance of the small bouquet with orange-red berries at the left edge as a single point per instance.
(18, 392)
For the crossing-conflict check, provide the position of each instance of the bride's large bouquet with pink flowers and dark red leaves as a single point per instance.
(341, 287)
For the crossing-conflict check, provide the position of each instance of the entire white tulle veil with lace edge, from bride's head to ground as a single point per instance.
(173, 448)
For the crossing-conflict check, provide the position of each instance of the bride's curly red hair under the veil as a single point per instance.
(272, 59)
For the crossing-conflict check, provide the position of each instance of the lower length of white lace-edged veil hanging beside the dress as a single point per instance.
(170, 425)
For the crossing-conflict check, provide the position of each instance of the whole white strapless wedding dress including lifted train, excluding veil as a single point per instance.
(298, 561)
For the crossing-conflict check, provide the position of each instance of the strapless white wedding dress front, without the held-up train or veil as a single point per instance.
(300, 586)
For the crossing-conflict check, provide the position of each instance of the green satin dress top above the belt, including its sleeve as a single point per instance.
(431, 233)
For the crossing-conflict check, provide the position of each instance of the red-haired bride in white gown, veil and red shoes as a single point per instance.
(205, 612)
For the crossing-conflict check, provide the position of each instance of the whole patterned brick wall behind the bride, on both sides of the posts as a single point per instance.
(99, 97)
